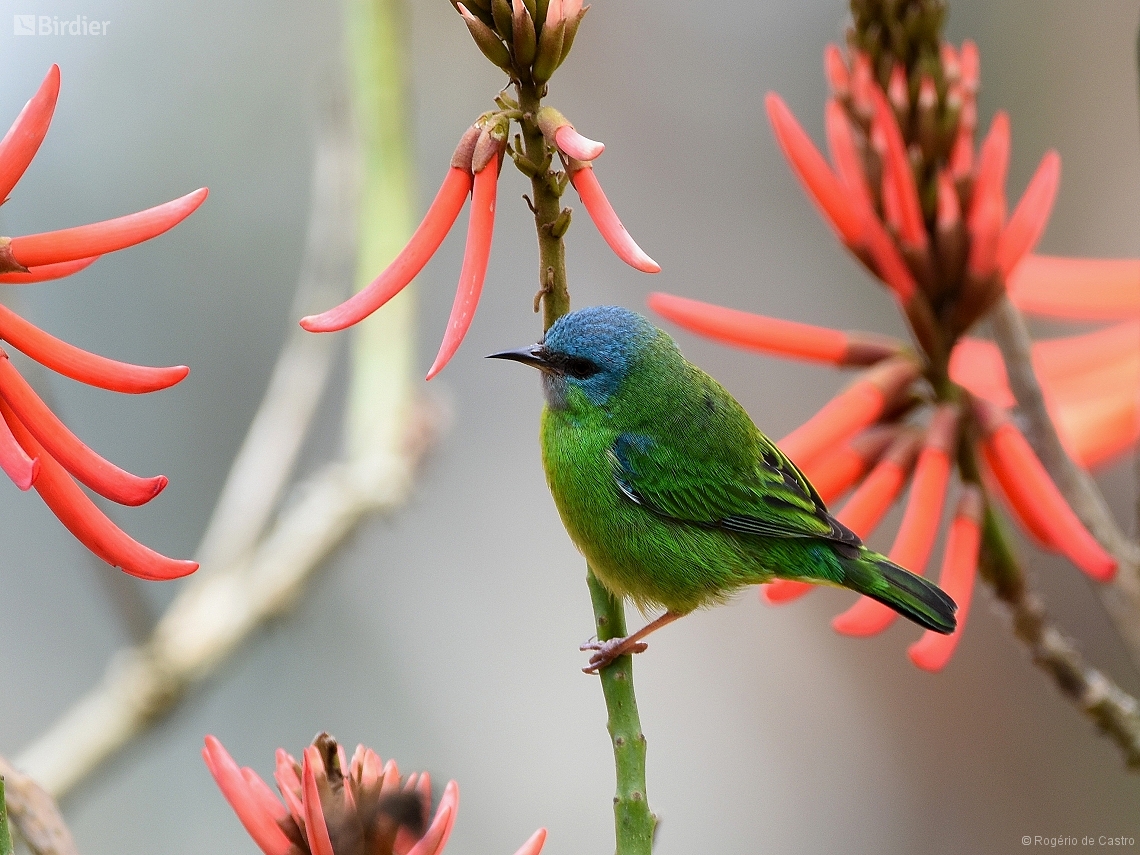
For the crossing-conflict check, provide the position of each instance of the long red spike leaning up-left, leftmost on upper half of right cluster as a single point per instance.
(815, 173)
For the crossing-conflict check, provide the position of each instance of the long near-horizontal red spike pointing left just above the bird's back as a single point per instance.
(775, 336)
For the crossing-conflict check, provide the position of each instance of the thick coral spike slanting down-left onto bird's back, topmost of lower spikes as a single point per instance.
(853, 410)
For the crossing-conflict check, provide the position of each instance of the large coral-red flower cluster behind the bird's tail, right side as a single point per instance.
(925, 213)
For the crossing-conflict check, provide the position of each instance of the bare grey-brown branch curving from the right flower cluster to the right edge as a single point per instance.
(1122, 597)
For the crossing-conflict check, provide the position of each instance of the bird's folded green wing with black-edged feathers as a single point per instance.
(751, 488)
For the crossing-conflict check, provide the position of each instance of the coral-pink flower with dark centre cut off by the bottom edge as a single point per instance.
(332, 807)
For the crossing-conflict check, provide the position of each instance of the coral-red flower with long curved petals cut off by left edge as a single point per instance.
(36, 449)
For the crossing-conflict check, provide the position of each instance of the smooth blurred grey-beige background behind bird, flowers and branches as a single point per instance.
(446, 637)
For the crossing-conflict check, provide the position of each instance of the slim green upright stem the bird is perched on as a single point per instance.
(633, 820)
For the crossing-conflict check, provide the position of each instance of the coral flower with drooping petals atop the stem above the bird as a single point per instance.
(530, 40)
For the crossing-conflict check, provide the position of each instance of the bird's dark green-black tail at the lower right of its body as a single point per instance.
(910, 596)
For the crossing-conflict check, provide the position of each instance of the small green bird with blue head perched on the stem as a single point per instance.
(674, 496)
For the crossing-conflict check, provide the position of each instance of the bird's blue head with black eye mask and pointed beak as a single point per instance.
(591, 349)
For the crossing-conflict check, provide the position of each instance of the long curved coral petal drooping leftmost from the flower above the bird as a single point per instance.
(437, 223)
